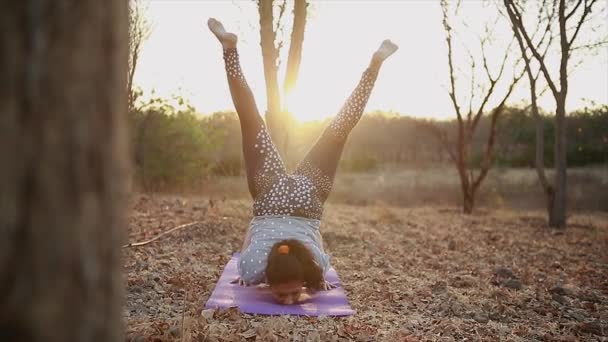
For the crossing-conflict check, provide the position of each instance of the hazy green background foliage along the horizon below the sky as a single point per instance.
(176, 148)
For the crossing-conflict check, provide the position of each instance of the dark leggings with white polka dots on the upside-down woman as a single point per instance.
(274, 190)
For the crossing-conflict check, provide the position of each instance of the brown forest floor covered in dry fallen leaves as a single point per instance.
(410, 273)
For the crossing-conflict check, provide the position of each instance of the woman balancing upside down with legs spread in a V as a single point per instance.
(283, 246)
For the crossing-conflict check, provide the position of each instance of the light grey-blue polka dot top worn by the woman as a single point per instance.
(265, 231)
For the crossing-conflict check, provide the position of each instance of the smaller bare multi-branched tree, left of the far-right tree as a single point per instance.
(468, 116)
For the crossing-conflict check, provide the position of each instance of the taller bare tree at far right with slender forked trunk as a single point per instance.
(531, 50)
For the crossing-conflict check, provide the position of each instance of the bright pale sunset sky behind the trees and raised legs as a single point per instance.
(183, 57)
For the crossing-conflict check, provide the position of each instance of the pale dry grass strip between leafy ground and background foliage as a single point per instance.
(513, 189)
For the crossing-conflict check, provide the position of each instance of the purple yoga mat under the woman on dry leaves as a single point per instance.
(259, 300)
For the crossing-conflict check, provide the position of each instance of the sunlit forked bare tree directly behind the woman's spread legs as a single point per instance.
(277, 113)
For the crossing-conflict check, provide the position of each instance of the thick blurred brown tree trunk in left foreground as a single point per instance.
(64, 169)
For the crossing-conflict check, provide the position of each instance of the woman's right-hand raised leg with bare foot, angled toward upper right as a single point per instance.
(321, 162)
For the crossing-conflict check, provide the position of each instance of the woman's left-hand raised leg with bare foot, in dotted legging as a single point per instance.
(262, 160)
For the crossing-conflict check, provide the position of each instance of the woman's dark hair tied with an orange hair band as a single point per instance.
(294, 262)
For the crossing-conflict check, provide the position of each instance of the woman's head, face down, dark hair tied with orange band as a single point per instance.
(291, 266)
